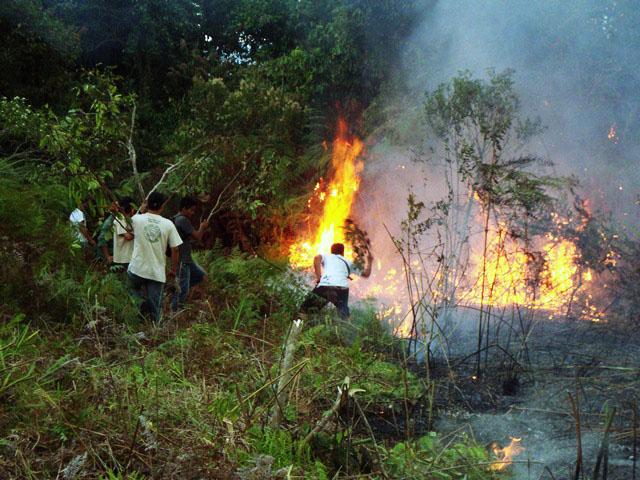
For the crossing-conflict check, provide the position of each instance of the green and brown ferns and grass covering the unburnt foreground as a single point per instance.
(94, 391)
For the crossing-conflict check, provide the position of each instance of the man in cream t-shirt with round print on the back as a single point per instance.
(152, 233)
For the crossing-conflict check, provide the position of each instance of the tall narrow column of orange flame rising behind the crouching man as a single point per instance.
(336, 200)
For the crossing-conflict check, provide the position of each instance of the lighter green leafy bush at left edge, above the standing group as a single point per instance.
(81, 148)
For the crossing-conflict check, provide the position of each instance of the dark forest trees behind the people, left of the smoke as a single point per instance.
(237, 96)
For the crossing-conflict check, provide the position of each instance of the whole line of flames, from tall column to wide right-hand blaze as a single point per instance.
(549, 279)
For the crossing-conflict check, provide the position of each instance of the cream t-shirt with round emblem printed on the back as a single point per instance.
(152, 233)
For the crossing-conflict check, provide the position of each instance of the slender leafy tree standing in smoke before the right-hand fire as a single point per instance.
(481, 135)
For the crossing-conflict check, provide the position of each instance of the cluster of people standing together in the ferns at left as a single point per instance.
(141, 243)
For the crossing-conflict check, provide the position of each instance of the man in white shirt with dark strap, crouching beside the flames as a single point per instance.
(333, 273)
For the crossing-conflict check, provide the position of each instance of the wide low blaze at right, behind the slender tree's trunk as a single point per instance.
(545, 280)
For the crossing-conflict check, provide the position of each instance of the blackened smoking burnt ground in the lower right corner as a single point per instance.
(598, 364)
